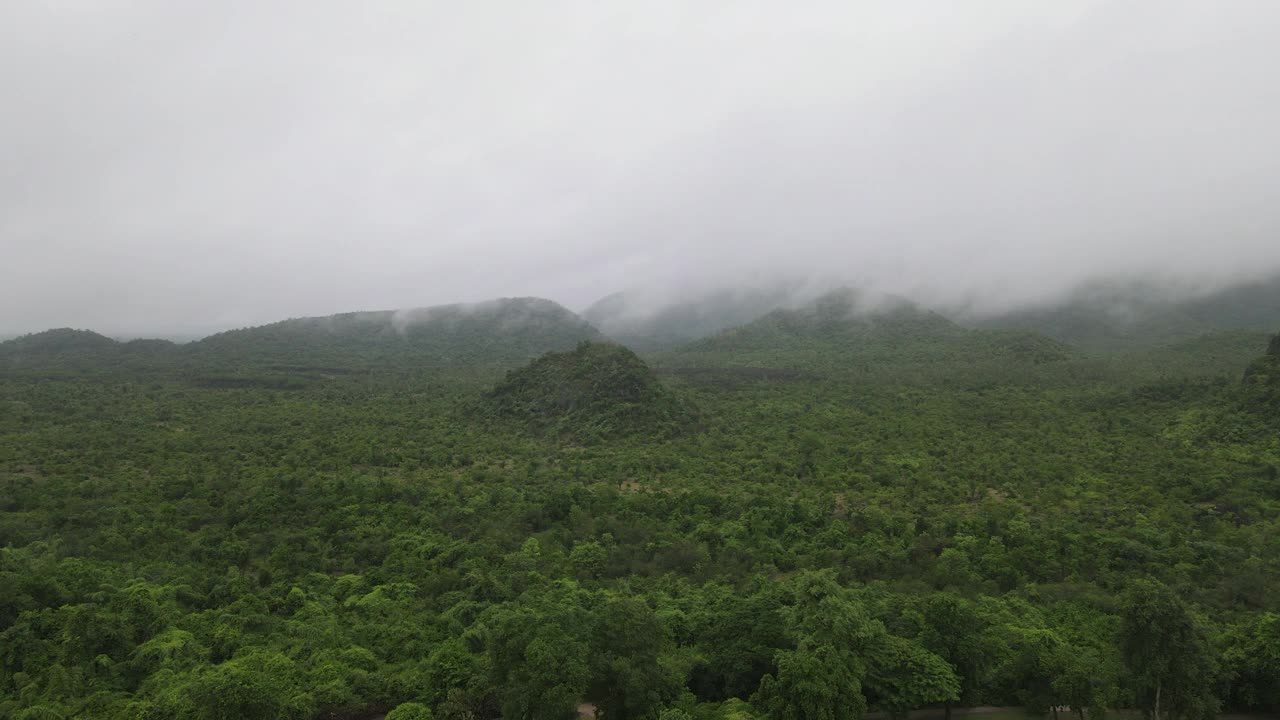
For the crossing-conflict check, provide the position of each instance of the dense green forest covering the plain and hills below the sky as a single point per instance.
(816, 513)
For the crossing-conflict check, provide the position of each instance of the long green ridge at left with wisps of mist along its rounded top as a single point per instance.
(290, 354)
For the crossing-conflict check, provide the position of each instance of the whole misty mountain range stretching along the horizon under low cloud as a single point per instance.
(748, 327)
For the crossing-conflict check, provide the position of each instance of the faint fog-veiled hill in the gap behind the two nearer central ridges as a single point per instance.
(650, 325)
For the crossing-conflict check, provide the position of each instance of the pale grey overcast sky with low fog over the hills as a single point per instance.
(184, 167)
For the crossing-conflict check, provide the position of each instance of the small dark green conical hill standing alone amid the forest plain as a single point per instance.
(596, 391)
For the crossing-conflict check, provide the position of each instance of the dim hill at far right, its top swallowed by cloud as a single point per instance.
(1109, 317)
